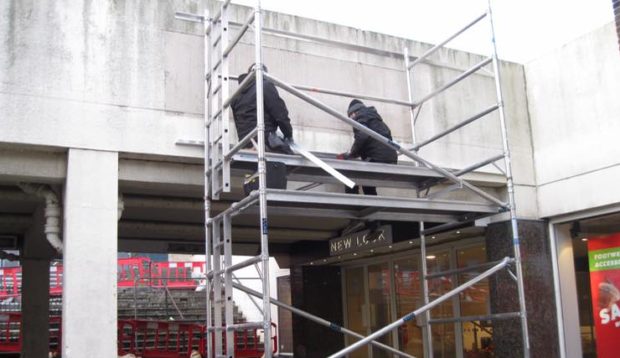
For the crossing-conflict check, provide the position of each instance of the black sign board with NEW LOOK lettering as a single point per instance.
(360, 240)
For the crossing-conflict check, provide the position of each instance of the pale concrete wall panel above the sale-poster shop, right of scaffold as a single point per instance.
(572, 94)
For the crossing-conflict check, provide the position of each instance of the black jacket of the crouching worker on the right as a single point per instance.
(369, 148)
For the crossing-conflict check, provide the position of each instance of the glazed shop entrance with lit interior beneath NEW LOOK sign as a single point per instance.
(378, 291)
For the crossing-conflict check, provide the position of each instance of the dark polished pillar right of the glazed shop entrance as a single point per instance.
(538, 285)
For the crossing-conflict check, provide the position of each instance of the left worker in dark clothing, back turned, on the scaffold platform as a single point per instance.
(276, 114)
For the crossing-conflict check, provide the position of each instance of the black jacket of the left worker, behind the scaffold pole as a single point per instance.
(244, 110)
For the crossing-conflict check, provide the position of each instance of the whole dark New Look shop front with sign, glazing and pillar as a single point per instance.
(368, 282)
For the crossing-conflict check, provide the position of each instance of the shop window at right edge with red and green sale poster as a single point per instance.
(587, 280)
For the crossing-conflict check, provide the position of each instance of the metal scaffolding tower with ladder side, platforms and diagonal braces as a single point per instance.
(220, 155)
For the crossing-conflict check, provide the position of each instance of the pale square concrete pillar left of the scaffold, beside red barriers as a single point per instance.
(90, 254)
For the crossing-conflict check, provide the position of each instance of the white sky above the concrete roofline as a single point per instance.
(525, 29)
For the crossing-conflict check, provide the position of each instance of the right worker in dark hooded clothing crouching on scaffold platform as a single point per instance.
(366, 147)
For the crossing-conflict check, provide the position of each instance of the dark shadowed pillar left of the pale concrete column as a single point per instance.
(36, 255)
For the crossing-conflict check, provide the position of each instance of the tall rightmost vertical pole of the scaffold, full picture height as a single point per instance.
(510, 189)
